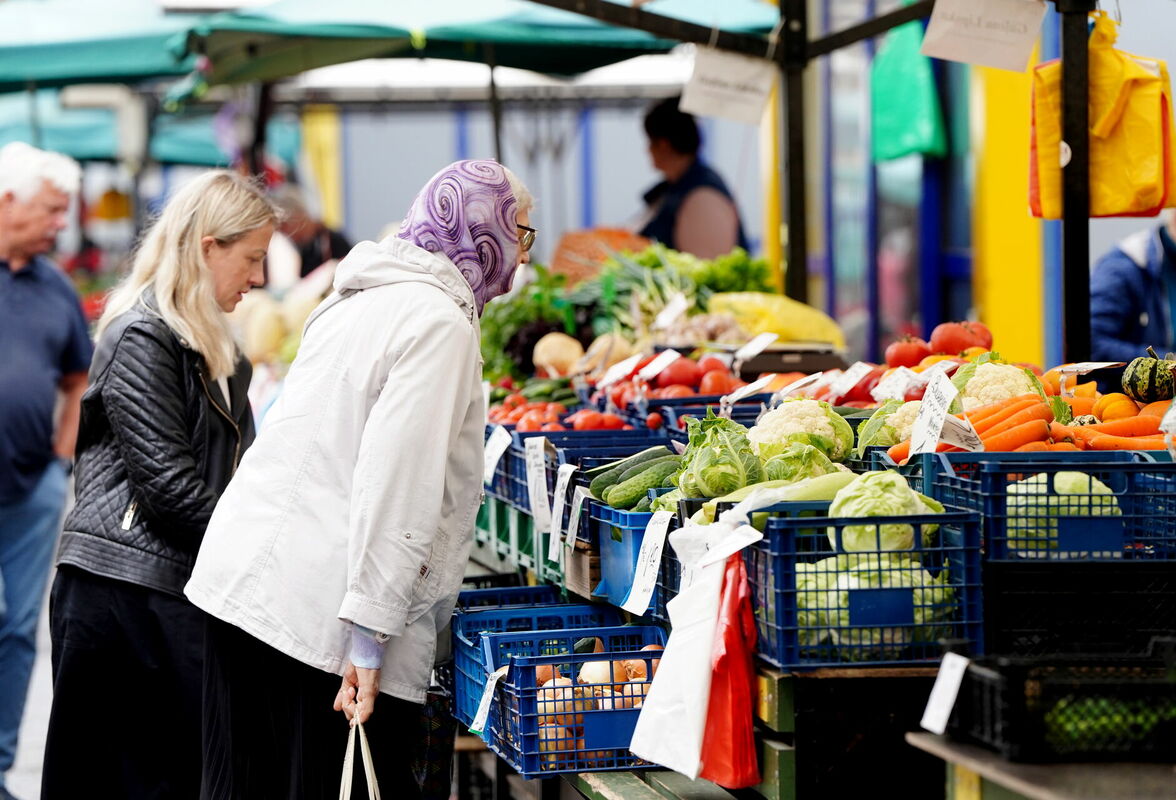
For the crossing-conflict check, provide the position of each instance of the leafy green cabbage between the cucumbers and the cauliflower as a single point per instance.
(719, 459)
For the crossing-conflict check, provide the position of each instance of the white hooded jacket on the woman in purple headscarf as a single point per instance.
(357, 502)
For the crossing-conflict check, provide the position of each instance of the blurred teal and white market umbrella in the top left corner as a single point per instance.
(58, 43)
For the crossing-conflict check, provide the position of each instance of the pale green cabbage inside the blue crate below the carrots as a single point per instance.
(1034, 508)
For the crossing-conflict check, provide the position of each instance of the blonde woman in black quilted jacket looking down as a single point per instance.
(164, 425)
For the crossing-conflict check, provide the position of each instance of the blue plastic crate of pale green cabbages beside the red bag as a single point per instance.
(892, 608)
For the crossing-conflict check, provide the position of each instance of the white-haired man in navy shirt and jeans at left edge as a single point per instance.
(45, 352)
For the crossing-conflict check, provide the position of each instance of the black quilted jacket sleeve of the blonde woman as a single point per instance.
(143, 395)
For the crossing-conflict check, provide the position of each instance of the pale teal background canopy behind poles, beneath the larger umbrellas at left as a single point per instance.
(91, 135)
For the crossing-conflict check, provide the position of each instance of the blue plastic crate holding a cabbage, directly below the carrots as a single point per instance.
(1026, 518)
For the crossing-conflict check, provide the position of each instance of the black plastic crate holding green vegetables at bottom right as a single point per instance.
(1077, 711)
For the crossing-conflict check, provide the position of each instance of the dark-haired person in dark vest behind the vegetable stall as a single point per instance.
(691, 211)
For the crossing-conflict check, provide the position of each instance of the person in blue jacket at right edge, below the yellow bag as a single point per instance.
(1133, 295)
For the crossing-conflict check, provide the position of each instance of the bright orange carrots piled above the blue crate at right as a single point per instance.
(1027, 424)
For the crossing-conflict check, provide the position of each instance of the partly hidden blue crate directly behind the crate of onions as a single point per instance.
(469, 629)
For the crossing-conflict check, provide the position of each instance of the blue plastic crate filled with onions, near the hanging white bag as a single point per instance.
(599, 738)
